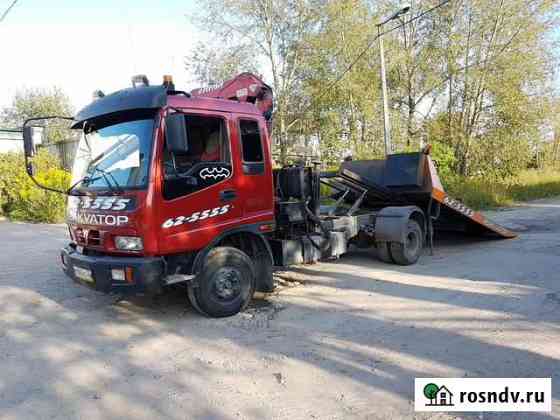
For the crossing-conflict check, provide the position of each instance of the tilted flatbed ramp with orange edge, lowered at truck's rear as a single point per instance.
(411, 178)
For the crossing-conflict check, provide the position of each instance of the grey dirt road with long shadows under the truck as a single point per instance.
(340, 340)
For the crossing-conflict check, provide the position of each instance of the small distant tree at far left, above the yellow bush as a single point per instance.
(33, 103)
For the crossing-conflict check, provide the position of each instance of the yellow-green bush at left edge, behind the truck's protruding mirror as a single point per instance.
(21, 199)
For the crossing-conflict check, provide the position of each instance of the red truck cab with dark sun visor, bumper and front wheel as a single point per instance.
(166, 185)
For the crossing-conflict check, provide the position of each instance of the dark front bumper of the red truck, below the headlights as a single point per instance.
(147, 272)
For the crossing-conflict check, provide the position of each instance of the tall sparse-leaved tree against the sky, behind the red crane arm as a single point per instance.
(275, 30)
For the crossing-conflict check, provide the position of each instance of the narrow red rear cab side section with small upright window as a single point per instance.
(256, 171)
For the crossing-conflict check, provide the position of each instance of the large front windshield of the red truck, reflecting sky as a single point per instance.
(117, 155)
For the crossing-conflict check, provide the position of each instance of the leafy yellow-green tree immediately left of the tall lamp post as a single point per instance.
(342, 115)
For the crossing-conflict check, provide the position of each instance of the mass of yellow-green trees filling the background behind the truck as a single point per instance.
(474, 77)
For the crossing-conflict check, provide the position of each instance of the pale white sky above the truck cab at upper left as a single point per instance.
(84, 45)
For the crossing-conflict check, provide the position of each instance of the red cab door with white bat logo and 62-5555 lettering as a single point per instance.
(199, 192)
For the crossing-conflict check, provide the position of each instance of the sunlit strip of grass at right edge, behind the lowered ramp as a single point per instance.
(480, 193)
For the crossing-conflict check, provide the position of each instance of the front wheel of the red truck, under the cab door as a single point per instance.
(225, 285)
